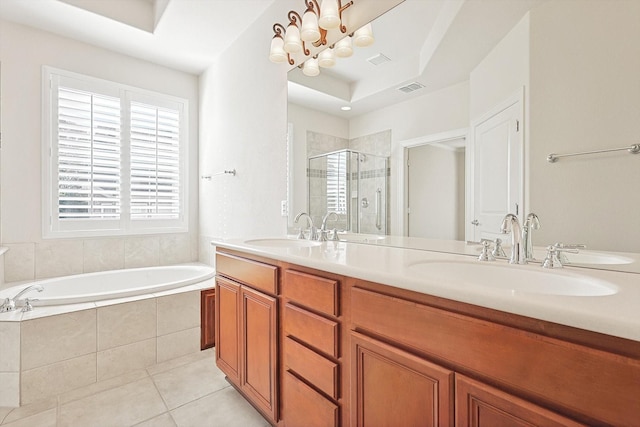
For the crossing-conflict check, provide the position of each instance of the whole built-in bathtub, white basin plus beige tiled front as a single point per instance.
(93, 327)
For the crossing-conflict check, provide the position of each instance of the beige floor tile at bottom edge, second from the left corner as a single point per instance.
(123, 406)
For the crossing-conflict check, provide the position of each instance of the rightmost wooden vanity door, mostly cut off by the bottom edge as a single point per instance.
(479, 405)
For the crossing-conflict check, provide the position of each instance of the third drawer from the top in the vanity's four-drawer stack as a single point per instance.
(318, 370)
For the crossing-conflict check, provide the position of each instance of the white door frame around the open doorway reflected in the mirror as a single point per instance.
(399, 222)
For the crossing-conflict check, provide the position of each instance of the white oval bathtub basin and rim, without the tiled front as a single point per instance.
(90, 287)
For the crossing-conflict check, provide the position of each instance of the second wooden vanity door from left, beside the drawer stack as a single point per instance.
(259, 349)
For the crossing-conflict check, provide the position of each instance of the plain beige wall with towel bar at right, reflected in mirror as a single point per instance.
(585, 95)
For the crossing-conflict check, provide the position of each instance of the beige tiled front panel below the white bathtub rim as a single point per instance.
(61, 352)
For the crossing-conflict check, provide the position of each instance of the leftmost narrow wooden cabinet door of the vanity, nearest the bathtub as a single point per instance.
(227, 327)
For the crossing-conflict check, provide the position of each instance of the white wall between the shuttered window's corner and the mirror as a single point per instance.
(243, 125)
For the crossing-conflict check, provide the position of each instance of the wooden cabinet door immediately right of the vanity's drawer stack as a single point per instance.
(391, 387)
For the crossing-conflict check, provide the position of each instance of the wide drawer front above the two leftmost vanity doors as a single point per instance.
(255, 274)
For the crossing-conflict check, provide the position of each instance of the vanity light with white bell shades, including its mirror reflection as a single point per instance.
(312, 28)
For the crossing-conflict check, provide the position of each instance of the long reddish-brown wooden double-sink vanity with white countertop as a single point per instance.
(335, 333)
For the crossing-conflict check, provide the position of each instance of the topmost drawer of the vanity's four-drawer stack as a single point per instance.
(312, 291)
